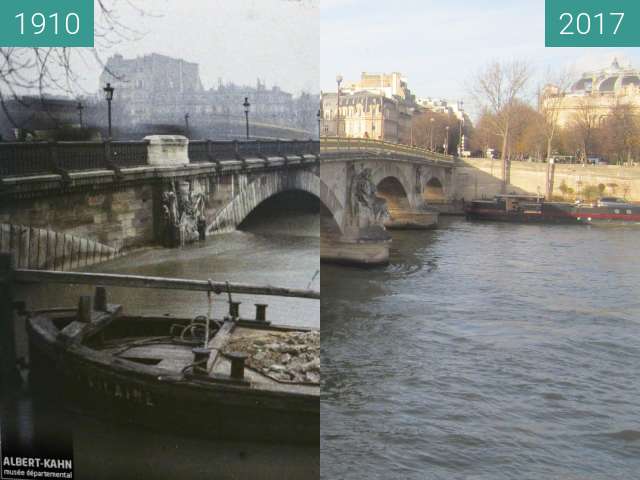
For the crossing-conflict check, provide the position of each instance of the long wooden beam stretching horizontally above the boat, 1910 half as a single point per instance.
(138, 281)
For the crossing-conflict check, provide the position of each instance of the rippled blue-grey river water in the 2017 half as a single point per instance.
(485, 351)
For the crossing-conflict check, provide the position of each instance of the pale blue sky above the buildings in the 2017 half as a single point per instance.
(439, 45)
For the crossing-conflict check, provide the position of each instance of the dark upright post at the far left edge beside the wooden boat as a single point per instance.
(8, 371)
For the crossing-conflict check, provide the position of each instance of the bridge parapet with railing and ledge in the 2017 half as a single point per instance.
(330, 146)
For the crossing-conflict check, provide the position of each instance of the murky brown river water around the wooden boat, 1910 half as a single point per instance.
(276, 247)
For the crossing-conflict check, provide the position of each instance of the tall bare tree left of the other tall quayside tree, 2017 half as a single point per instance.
(496, 89)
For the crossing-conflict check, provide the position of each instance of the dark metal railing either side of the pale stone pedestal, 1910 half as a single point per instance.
(21, 159)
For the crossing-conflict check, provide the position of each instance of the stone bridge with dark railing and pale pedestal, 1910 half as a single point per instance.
(165, 189)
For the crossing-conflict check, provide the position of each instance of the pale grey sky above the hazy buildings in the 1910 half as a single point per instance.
(236, 40)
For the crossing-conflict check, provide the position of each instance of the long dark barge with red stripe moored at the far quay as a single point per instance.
(534, 209)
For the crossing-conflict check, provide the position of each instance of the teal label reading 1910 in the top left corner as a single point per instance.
(47, 23)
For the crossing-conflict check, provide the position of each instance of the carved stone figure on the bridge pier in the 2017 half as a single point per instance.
(366, 207)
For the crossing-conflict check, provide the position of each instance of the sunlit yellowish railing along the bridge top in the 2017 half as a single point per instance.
(335, 144)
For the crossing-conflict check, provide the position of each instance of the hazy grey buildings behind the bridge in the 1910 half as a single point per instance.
(156, 89)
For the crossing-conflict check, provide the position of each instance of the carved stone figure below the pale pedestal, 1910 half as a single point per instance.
(183, 211)
